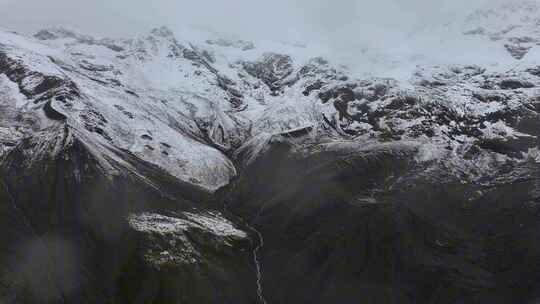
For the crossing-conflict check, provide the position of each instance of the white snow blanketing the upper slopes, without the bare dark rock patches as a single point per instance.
(146, 96)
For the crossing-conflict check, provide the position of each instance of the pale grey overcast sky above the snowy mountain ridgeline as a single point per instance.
(286, 19)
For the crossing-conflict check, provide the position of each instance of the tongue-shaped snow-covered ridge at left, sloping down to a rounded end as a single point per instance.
(132, 122)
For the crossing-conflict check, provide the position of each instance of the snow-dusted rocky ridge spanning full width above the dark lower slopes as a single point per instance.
(188, 104)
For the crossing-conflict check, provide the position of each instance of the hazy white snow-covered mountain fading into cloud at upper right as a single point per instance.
(506, 30)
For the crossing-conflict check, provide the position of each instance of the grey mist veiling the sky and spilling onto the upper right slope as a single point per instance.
(340, 30)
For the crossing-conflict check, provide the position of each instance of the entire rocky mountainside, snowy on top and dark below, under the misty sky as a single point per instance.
(162, 169)
